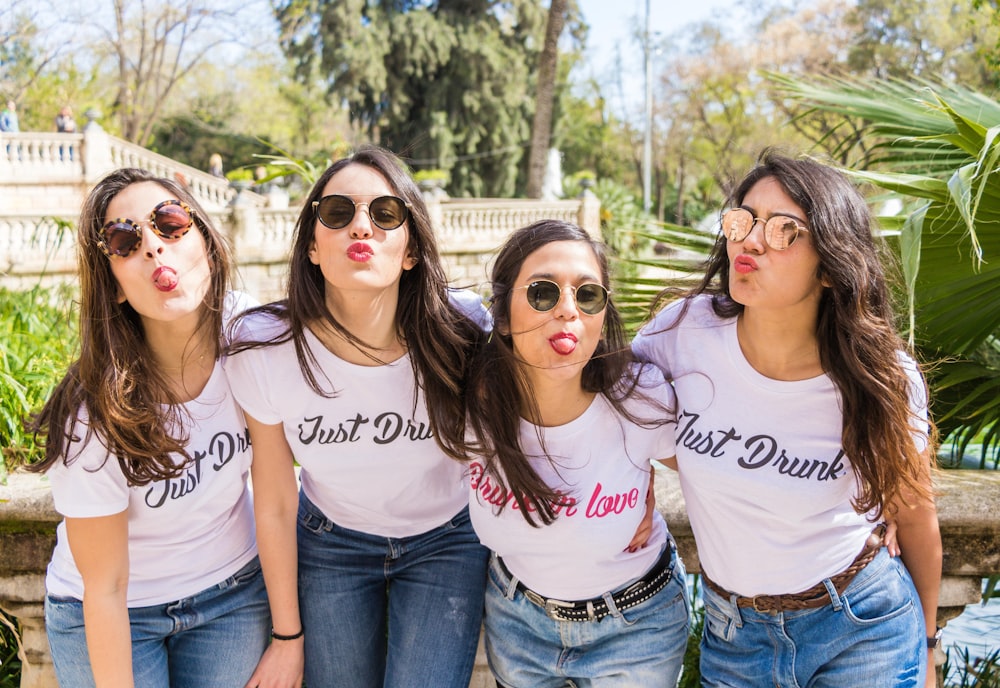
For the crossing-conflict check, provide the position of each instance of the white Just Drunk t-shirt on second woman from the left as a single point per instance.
(369, 460)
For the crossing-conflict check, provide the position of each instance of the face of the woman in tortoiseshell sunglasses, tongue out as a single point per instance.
(164, 279)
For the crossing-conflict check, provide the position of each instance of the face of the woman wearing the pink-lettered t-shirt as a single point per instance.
(559, 342)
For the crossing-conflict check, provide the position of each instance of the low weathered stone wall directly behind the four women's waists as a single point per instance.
(970, 530)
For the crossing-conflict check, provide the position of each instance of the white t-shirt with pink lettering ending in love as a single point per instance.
(601, 464)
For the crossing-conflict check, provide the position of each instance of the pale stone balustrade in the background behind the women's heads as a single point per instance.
(44, 178)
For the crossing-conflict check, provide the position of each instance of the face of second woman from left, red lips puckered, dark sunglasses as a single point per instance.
(360, 259)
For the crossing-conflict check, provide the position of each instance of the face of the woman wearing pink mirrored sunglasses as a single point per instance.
(762, 277)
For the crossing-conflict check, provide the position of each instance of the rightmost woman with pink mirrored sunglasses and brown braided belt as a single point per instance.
(801, 425)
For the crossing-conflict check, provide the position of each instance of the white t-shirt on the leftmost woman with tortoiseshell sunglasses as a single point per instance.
(184, 534)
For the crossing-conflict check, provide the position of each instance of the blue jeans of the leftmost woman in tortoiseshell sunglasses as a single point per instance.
(211, 640)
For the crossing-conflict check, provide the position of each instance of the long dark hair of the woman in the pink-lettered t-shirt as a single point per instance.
(499, 390)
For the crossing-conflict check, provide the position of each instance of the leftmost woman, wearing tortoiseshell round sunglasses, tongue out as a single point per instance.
(154, 581)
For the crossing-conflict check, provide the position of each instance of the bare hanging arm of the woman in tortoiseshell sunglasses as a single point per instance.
(100, 550)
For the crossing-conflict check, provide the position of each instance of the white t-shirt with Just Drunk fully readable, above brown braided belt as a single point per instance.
(766, 482)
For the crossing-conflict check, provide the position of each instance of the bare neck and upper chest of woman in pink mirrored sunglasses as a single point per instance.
(780, 346)
